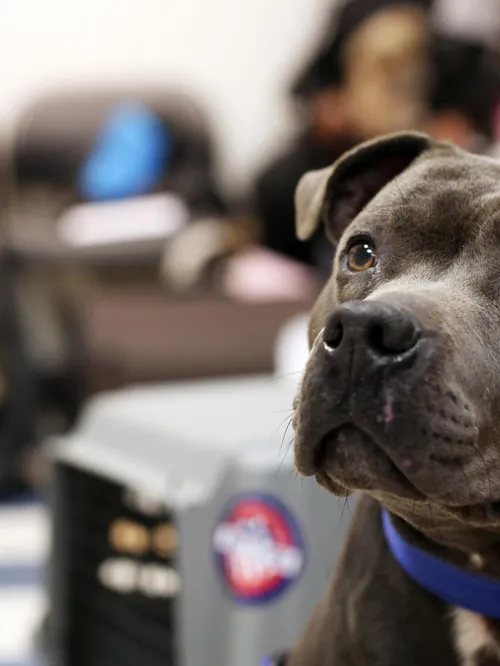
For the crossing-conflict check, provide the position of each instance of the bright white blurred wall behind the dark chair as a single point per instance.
(239, 54)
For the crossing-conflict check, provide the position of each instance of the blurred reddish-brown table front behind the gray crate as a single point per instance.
(143, 335)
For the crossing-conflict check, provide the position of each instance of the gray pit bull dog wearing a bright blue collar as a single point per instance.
(400, 398)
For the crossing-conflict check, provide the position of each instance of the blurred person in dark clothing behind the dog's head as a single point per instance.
(381, 67)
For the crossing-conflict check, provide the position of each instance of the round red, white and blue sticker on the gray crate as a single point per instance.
(259, 548)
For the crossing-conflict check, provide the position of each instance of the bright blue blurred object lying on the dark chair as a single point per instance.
(130, 156)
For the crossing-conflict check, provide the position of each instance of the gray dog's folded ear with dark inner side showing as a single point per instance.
(337, 194)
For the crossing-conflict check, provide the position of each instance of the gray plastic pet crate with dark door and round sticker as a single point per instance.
(182, 534)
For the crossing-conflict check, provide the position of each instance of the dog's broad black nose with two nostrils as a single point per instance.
(387, 332)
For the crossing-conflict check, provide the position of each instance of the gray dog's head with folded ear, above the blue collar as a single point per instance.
(401, 394)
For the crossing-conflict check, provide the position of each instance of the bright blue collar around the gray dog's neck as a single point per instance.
(475, 592)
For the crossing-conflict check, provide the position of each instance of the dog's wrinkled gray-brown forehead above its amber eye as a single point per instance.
(436, 209)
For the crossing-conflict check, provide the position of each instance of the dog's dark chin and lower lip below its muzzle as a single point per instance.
(349, 460)
